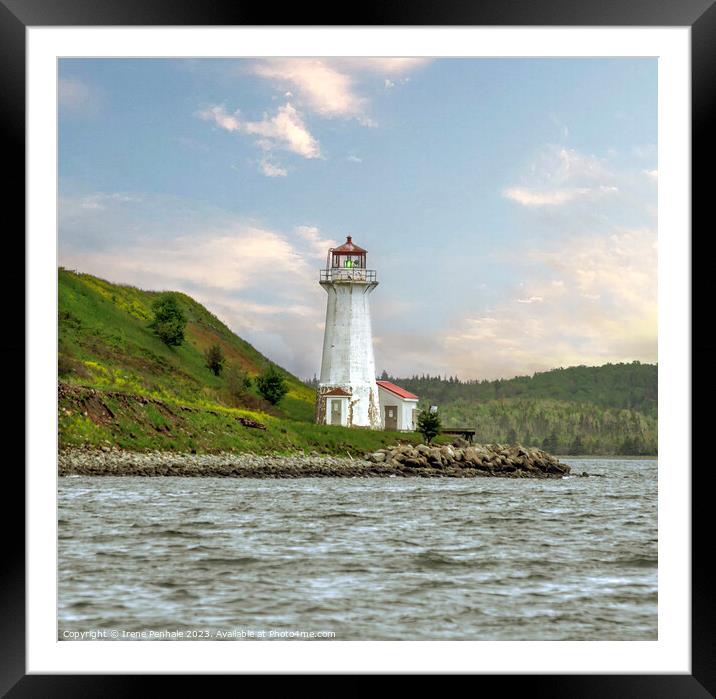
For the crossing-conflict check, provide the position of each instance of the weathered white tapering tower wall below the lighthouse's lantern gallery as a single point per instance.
(348, 360)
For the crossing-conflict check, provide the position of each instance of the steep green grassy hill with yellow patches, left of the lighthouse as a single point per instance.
(120, 385)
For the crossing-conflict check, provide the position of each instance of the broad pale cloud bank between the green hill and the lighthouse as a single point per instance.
(262, 283)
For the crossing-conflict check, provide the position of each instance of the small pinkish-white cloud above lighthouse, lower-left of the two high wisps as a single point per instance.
(285, 130)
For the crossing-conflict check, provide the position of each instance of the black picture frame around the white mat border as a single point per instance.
(16, 15)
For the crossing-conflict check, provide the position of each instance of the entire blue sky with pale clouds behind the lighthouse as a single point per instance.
(509, 206)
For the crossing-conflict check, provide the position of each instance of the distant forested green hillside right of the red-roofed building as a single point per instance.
(611, 409)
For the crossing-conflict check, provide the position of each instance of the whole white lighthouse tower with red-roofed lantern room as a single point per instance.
(347, 391)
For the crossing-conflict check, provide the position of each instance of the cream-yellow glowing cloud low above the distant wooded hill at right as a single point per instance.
(602, 308)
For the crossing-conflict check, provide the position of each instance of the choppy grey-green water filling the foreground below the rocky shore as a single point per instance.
(364, 559)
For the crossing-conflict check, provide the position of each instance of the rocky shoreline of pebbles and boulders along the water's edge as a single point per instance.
(457, 461)
